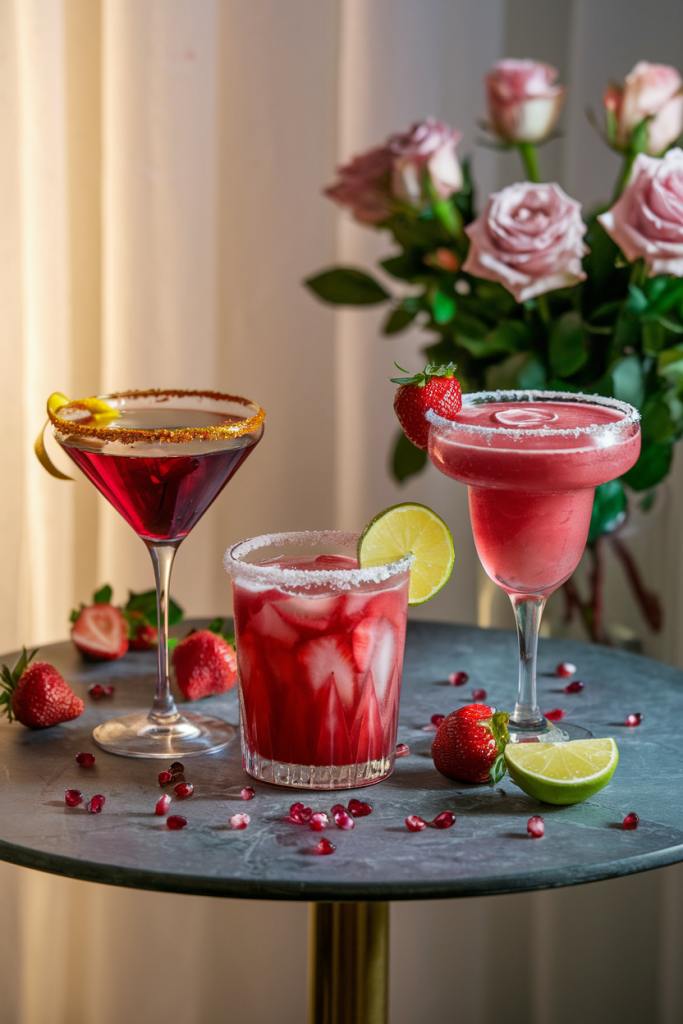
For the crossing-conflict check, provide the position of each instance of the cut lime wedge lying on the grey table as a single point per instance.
(563, 774)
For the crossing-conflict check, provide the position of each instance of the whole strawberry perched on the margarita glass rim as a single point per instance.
(435, 389)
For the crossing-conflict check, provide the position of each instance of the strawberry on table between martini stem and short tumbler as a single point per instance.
(205, 663)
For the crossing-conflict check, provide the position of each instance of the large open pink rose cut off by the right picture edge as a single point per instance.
(648, 219)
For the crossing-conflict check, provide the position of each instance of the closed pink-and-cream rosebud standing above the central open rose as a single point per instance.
(524, 103)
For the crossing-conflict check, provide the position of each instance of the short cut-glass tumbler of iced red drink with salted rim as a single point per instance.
(320, 654)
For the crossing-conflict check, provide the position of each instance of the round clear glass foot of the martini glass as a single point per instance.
(138, 736)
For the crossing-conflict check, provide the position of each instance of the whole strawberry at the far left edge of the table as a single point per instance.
(36, 695)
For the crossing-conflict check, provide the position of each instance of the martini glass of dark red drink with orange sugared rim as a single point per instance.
(161, 458)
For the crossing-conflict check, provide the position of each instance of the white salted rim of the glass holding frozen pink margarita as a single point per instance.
(631, 415)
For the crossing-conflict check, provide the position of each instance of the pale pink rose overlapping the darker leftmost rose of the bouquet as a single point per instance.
(431, 147)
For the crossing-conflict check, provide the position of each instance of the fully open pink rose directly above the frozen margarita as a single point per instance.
(529, 239)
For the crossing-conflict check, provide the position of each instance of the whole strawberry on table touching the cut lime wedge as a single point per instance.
(469, 745)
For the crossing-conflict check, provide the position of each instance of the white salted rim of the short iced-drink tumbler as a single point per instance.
(276, 576)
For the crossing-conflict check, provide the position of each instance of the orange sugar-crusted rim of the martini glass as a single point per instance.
(98, 423)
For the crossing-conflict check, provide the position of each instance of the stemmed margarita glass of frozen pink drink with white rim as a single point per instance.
(532, 461)
